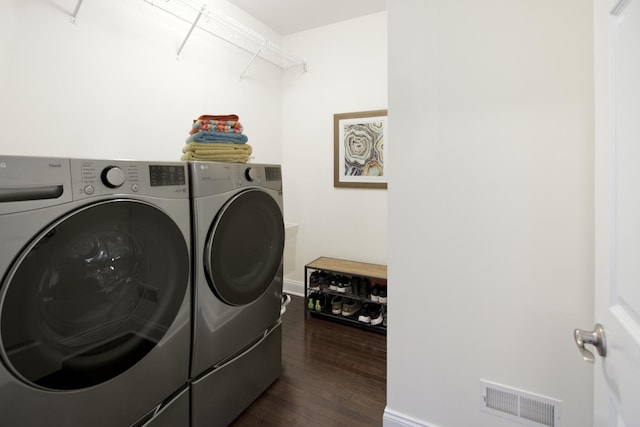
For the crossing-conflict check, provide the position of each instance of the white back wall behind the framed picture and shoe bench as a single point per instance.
(347, 72)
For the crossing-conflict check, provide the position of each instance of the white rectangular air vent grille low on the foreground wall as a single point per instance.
(526, 408)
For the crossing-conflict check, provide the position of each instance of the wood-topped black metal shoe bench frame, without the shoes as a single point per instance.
(376, 273)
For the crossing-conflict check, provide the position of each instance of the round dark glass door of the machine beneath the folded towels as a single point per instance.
(244, 247)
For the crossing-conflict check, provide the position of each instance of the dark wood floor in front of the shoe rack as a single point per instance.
(332, 375)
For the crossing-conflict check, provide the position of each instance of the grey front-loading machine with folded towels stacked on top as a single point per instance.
(238, 231)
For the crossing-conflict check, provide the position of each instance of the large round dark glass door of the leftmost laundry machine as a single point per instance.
(92, 294)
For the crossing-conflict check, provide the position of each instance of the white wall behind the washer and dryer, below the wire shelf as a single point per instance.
(111, 86)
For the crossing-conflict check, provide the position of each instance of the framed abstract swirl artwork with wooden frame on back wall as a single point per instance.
(359, 149)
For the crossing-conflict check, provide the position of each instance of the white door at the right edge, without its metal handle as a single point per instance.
(617, 201)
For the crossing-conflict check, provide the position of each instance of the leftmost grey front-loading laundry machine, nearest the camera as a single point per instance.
(95, 292)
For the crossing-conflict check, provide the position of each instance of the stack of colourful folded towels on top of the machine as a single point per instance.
(217, 138)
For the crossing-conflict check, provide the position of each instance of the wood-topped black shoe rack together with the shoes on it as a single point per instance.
(349, 292)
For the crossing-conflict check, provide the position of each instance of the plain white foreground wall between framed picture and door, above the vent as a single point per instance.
(490, 206)
